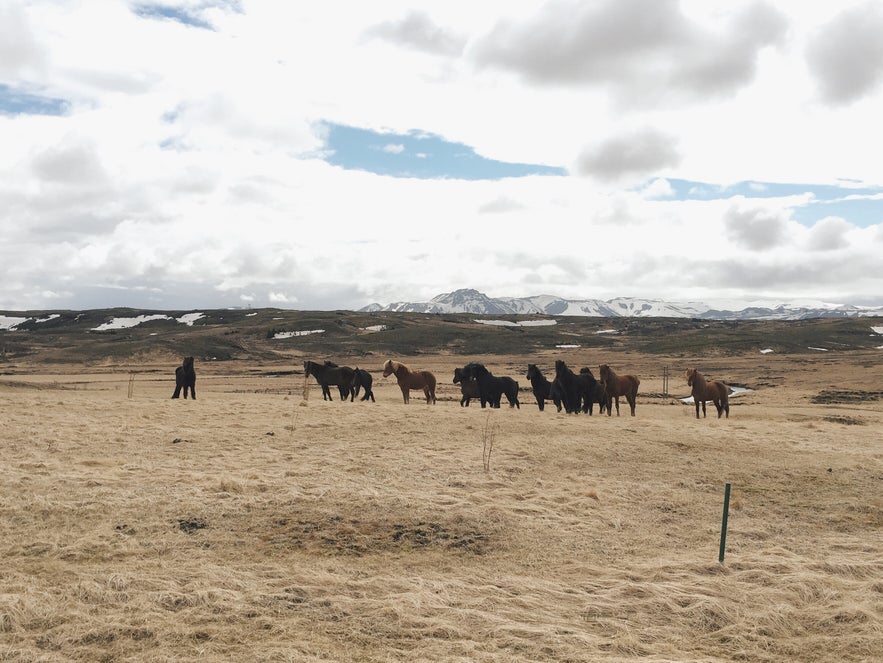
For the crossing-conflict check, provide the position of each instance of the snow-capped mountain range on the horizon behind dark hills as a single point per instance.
(473, 301)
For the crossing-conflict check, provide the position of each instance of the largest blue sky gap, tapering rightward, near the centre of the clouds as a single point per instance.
(418, 155)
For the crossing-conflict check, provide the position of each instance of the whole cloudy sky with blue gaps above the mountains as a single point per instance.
(229, 153)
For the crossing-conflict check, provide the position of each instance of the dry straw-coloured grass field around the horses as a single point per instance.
(260, 523)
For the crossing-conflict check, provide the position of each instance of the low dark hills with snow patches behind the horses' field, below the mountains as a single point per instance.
(109, 337)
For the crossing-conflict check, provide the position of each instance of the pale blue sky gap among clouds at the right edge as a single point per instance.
(858, 204)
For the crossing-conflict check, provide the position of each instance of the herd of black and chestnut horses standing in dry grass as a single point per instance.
(569, 391)
